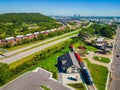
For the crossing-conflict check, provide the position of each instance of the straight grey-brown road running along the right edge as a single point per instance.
(115, 66)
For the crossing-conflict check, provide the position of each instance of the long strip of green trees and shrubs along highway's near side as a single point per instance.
(7, 74)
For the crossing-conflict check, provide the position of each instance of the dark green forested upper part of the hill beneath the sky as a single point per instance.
(25, 17)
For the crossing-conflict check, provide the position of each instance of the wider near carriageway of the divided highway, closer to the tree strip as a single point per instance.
(31, 51)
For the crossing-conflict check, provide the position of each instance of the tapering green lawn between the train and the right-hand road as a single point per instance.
(99, 74)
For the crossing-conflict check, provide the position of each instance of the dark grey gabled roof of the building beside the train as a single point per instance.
(69, 59)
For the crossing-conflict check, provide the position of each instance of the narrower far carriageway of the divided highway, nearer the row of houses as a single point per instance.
(40, 43)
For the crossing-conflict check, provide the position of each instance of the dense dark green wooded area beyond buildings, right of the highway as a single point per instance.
(100, 30)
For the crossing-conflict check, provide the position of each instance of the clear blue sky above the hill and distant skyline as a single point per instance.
(62, 7)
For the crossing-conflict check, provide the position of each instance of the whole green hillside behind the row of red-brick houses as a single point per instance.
(13, 24)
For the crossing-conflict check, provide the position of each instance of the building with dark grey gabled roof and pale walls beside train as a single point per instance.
(68, 63)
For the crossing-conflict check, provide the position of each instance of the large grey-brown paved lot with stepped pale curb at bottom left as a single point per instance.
(34, 81)
